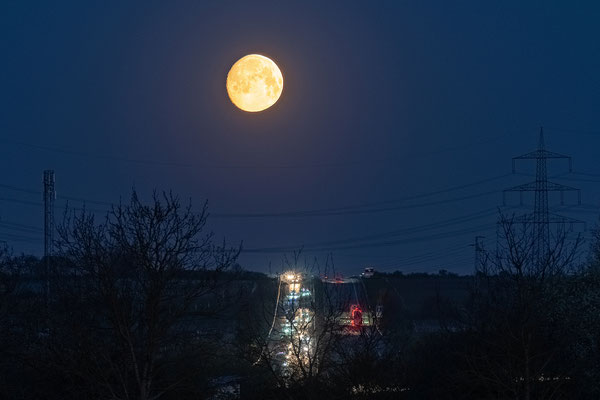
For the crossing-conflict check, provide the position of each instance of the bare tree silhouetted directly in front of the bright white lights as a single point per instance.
(293, 334)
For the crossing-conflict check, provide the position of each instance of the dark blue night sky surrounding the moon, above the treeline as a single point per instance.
(381, 101)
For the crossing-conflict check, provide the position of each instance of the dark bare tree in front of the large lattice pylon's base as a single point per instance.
(513, 325)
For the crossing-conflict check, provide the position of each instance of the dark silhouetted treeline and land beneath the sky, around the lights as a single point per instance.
(146, 304)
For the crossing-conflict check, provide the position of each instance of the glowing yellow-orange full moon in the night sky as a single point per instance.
(254, 83)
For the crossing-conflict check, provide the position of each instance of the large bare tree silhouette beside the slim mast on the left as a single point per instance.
(146, 273)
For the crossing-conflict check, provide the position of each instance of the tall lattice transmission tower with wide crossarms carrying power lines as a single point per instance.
(541, 218)
